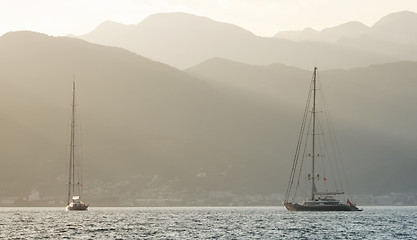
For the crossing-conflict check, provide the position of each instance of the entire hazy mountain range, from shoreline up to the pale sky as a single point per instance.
(227, 123)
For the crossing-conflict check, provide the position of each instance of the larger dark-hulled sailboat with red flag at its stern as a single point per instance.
(310, 162)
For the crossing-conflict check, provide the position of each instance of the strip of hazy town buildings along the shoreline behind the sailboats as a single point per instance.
(212, 198)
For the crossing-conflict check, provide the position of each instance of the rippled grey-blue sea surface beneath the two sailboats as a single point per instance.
(207, 223)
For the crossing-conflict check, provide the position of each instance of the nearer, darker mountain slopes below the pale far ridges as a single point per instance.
(152, 131)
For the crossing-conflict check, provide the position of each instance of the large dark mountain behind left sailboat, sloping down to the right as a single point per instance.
(145, 124)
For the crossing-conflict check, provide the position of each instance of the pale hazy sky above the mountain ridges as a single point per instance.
(262, 17)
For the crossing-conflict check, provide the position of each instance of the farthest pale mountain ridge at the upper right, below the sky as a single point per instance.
(393, 35)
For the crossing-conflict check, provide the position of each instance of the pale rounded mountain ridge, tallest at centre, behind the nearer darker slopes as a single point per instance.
(184, 40)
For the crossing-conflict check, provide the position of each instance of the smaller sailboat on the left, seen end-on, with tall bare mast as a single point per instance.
(74, 202)
